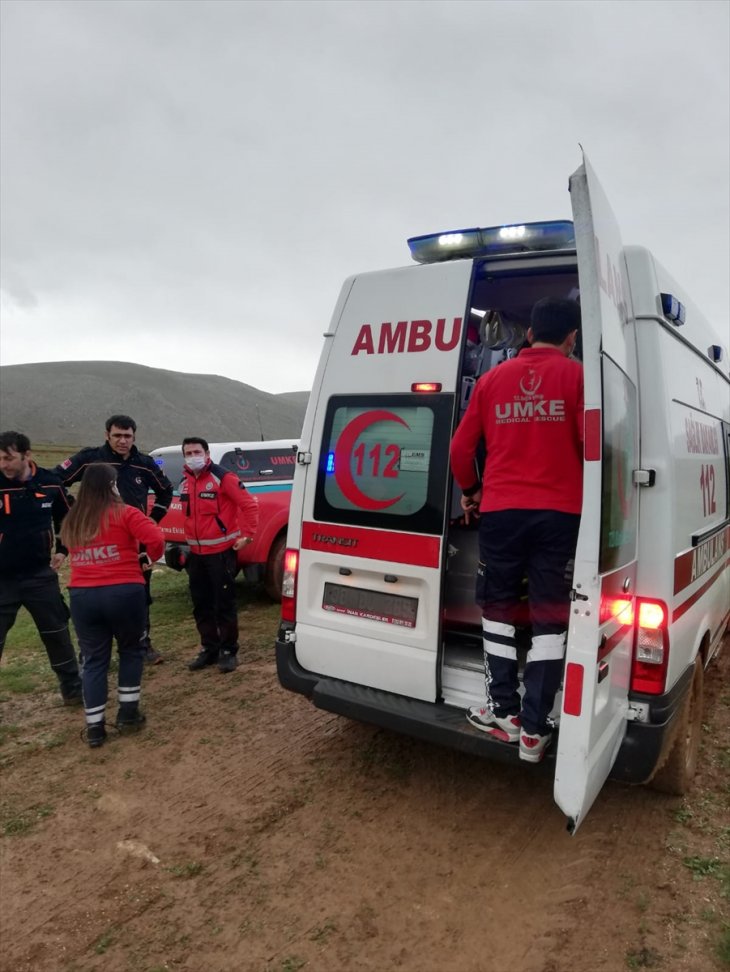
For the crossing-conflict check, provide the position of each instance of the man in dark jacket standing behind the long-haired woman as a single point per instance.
(137, 474)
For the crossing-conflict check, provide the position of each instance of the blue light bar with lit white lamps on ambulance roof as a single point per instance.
(492, 241)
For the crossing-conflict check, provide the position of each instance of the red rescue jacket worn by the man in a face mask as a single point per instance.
(218, 509)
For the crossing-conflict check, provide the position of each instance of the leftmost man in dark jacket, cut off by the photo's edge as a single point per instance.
(32, 505)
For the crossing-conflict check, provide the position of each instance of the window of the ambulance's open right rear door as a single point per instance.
(619, 500)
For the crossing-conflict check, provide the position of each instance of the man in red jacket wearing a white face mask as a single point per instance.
(220, 518)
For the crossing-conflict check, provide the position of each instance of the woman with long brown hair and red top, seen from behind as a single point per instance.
(107, 593)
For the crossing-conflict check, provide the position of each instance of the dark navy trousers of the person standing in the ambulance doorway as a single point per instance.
(538, 545)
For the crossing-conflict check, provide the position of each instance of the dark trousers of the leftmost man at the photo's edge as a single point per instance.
(40, 594)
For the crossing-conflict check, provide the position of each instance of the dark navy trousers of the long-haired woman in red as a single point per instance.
(101, 614)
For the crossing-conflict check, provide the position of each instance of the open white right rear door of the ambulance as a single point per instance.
(600, 634)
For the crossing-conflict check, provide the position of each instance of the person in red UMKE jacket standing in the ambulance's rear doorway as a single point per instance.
(528, 411)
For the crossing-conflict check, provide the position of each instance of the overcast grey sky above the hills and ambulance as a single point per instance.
(187, 184)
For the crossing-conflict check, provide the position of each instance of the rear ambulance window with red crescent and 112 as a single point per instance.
(384, 462)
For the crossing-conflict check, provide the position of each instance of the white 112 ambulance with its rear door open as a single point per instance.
(378, 615)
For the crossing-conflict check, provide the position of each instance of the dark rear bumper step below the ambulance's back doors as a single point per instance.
(433, 722)
